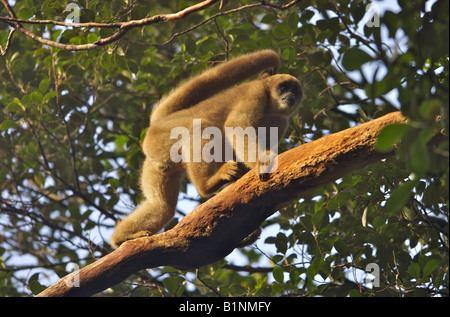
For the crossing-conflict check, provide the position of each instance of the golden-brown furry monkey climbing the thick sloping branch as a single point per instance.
(220, 98)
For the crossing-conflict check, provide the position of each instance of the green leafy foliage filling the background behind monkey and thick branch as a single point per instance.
(71, 124)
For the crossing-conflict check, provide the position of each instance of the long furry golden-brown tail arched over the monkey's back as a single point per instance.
(215, 80)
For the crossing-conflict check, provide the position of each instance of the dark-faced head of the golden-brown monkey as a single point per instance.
(285, 93)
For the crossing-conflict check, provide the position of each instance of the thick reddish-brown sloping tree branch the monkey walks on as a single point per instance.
(213, 229)
